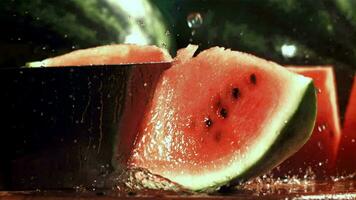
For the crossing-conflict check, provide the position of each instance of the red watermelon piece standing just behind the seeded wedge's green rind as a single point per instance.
(320, 152)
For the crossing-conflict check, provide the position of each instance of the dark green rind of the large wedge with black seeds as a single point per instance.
(289, 140)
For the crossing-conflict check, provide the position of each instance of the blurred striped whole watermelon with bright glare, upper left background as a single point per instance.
(37, 29)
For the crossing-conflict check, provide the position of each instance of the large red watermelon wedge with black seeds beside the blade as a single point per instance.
(223, 117)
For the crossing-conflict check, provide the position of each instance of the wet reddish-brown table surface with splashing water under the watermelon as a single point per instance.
(258, 189)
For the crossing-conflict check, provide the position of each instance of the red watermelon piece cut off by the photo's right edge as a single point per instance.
(347, 157)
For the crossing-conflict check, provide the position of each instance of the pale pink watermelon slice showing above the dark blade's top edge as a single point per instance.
(107, 55)
